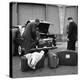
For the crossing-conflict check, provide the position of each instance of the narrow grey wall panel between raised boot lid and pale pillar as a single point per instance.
(53, 17)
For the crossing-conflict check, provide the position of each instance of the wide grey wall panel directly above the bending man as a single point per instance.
(30, 12)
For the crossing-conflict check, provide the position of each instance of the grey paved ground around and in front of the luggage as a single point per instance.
(61, 70)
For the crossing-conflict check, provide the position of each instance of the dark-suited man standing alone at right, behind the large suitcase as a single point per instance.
(72, 34)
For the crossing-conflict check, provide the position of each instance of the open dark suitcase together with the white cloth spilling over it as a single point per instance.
(32, 61)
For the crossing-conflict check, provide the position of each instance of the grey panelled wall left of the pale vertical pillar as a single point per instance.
(23, 12)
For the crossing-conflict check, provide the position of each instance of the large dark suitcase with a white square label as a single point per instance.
(68, 58)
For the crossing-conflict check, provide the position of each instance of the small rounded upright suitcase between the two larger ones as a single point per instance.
(53, 60)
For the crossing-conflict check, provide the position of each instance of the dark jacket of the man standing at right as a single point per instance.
(72, 31)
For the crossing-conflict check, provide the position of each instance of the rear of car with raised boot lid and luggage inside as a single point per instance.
(46, 40)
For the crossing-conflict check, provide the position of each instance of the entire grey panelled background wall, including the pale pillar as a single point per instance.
(57, 15)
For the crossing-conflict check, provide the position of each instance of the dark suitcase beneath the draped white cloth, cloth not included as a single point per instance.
(25, 67)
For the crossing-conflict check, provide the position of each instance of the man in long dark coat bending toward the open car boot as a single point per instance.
(29, 35)
